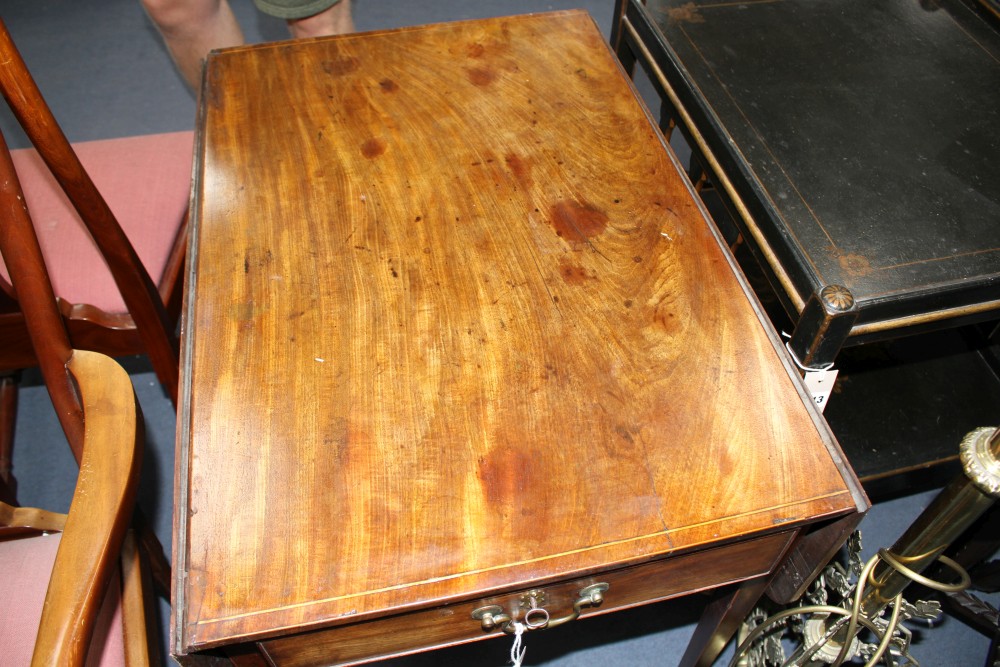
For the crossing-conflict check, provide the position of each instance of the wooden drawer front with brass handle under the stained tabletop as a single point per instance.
(454, 624)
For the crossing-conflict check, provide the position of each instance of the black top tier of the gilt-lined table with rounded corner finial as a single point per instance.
(856, 143)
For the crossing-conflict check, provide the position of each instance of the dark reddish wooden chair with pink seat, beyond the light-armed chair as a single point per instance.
(100, 250)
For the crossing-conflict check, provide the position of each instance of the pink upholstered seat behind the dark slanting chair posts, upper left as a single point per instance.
(145, 180)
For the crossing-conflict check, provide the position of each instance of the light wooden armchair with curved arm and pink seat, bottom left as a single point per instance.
(82, 599)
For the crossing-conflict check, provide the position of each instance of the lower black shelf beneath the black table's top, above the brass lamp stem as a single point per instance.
(901, 407)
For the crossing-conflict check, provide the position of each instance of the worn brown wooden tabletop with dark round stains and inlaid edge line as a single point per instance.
(455, 322)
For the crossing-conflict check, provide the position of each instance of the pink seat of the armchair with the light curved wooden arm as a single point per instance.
(26, 564)
